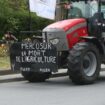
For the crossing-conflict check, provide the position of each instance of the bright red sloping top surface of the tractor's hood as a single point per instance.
(65, 25)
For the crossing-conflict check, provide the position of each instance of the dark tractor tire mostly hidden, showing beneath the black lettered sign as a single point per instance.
(35, 76)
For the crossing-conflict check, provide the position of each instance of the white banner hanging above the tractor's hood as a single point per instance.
(43, 8)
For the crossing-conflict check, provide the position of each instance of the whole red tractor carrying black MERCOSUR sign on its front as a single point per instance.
(76, 43)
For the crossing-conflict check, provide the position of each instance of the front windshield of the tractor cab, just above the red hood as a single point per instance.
(82, 9)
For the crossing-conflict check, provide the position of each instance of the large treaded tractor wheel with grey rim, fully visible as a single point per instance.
(84, 63)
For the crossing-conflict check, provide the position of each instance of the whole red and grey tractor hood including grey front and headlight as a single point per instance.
(59, 32)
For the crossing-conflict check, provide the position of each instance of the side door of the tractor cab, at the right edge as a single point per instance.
(97, 19)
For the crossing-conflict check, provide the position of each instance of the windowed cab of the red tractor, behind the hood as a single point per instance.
(92, 10)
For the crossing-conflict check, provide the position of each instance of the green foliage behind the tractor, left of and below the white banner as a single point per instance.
(14, 16)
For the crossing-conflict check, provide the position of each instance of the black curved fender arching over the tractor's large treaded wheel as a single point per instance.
(98, 43)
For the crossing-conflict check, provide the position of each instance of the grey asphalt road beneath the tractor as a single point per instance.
(55, 91)
